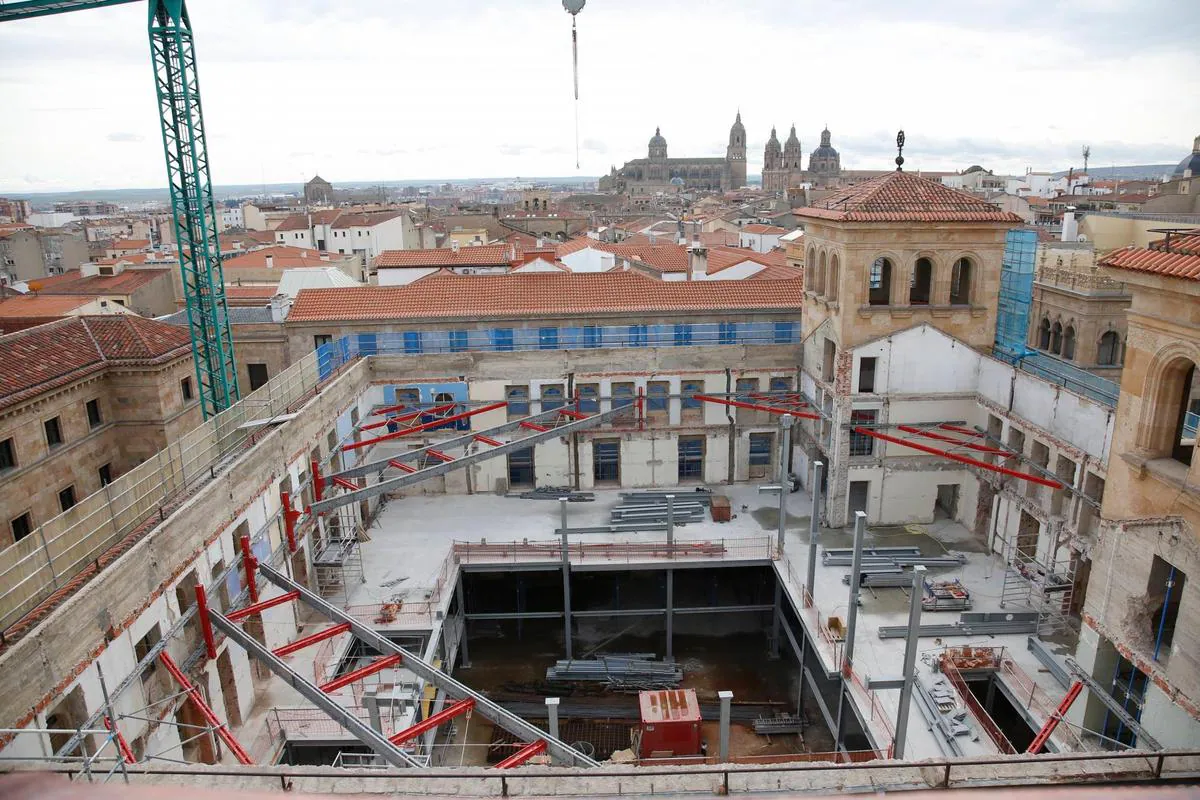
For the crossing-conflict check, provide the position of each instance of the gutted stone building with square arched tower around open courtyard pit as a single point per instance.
(709, 558)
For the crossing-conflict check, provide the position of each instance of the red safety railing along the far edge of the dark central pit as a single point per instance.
(758, 548)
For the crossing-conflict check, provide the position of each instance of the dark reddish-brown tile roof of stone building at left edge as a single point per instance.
(47, 357)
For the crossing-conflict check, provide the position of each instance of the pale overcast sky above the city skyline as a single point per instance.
(395, 89)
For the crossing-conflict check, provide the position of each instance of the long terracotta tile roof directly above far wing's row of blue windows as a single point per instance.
(520, 297)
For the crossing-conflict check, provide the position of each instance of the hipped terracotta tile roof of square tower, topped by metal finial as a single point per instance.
(904, 197)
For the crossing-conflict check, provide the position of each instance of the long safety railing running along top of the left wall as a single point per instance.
(65, 551)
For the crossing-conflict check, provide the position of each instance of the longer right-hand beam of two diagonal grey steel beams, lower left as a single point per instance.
(422, 669)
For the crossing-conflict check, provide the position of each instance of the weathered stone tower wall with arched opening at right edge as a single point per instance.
(1151, 521)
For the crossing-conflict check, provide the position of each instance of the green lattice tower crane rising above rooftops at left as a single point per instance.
(177, 85)
